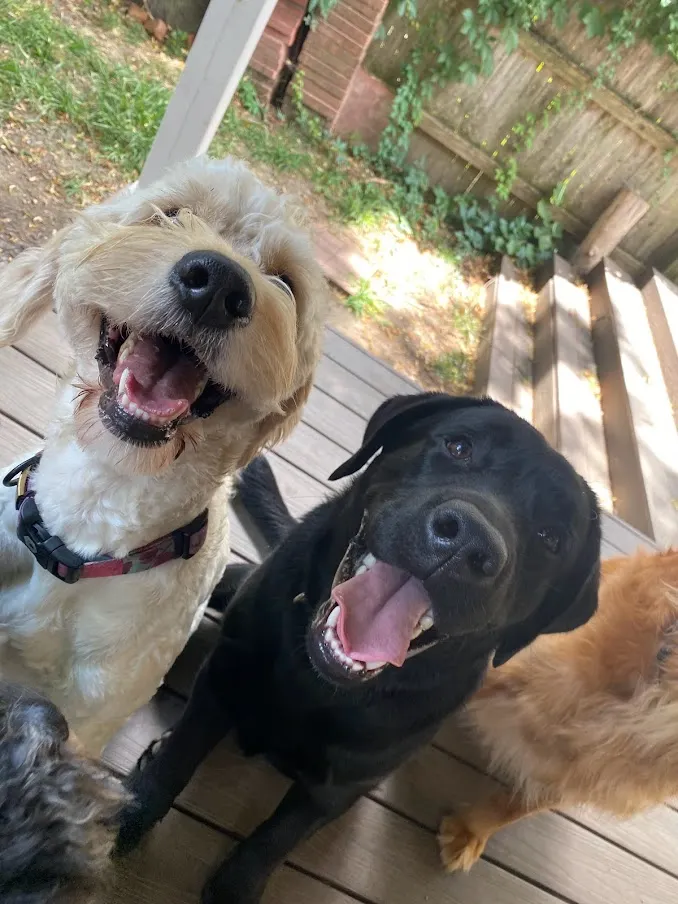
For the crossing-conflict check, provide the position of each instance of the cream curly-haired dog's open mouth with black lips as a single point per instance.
(152, 385)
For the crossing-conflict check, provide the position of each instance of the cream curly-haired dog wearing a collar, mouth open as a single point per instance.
(194, 312)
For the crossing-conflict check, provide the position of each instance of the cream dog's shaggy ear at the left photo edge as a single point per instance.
(27, 288)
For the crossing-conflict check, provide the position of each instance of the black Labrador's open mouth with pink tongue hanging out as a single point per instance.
(377, 615)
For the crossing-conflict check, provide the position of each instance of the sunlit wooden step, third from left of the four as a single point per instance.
(640, 432)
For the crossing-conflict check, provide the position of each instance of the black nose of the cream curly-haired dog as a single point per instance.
(216, 291)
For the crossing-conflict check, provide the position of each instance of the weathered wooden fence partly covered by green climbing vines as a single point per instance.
(620, 136)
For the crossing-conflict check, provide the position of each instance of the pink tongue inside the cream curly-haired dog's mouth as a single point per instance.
(163, 381)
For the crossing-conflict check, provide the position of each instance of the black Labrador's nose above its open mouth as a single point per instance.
(460, 533)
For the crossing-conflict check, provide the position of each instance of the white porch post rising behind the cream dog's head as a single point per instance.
(215, 64)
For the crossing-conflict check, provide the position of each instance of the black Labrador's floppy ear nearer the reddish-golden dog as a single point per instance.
(567, 606)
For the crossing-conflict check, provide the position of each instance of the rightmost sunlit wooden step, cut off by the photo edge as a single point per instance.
(661, 304)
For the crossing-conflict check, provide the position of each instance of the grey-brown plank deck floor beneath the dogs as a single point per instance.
(384, 850)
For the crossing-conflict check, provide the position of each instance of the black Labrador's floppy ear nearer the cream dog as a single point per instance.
(392, 416)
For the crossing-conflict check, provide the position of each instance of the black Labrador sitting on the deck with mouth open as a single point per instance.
(377, 615)
